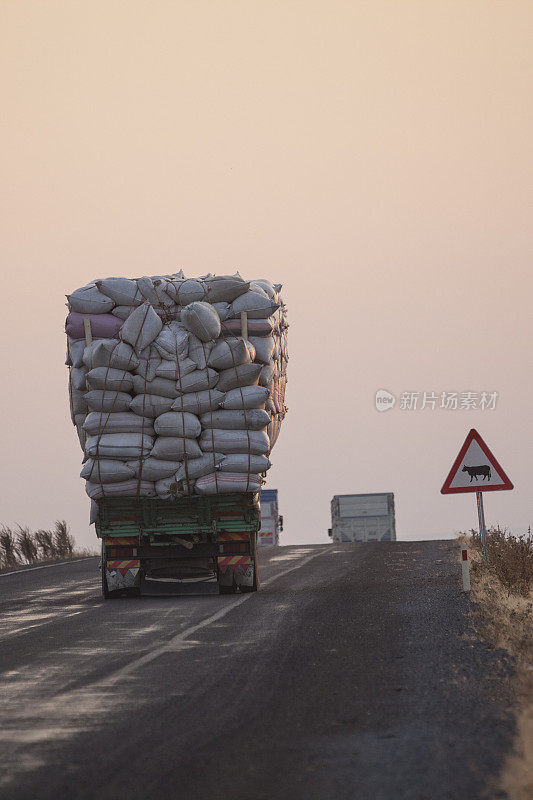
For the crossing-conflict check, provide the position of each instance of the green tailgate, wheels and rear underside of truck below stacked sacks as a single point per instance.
(198, 544)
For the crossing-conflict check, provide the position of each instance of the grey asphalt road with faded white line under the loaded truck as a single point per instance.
(354, 673)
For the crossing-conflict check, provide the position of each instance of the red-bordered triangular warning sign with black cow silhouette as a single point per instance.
(475, 469)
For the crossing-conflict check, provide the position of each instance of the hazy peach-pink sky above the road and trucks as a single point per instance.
(374, 157)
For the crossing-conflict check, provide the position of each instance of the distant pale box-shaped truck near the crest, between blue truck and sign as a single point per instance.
(363, 518)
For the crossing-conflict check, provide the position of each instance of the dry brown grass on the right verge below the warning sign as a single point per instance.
(502, 588)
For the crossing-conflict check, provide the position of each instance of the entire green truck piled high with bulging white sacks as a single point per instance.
(177, 392)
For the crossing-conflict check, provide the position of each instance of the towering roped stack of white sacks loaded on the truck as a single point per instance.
(176, 385)
